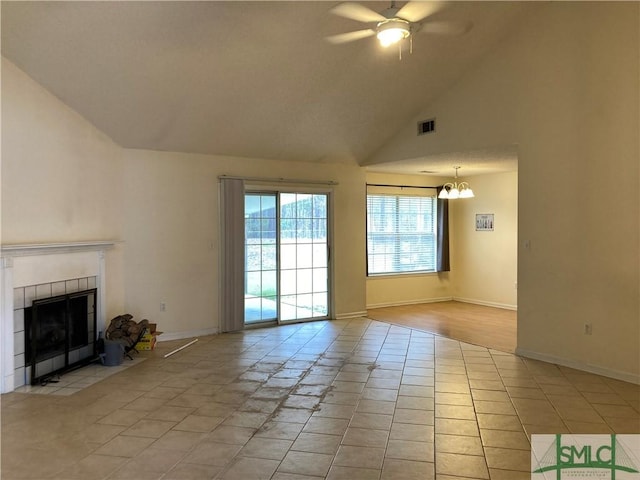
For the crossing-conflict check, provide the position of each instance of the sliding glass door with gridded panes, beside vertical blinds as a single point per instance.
(286, 257)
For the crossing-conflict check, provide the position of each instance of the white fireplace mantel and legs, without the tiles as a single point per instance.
(32, 264)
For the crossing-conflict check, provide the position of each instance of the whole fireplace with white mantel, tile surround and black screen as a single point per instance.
(34, 273)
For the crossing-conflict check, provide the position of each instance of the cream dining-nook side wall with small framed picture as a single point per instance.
(484, 264)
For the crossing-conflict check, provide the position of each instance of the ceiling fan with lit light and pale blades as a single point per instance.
(395, 24)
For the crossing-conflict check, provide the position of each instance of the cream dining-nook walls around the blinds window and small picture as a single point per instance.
(483, 264)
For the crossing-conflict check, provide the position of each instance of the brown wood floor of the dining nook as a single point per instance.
(485, 326)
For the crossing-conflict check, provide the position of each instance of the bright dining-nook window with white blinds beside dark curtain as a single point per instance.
(401, 233)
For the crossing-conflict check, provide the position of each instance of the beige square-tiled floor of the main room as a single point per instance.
(356, 399)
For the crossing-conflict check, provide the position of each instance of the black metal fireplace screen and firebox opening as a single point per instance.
(60, 333)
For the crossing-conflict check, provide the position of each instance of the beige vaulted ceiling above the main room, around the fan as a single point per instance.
(247, 79)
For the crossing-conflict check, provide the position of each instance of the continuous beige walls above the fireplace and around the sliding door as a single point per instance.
(64, 181)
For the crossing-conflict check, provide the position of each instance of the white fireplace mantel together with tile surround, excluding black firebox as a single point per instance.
(30, 272)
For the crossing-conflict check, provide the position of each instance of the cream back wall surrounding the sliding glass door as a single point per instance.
(172, 234)
